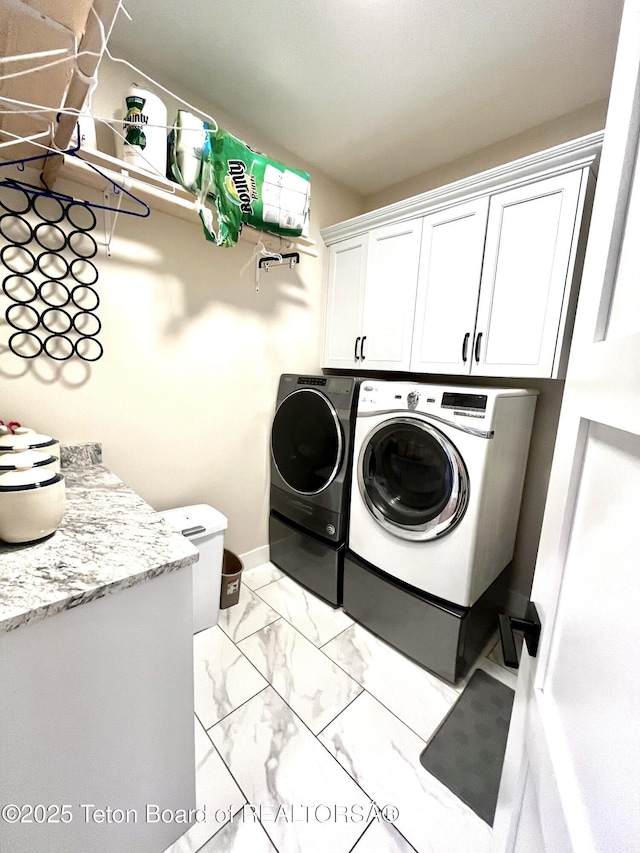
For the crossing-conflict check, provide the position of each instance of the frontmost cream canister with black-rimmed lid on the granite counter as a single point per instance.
(31, 504)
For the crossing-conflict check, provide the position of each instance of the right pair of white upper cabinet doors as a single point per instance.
(495, 280)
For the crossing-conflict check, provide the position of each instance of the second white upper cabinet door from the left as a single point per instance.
(392, 279)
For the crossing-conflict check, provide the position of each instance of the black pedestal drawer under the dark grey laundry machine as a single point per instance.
(315, 564)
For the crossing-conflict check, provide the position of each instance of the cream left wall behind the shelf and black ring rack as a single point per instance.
(183, 397)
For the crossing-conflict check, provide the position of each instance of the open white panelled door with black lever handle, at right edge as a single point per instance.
(571, 779)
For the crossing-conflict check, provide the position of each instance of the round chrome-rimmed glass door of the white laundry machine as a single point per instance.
(412, 479)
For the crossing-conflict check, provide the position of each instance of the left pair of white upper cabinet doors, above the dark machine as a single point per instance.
(371, 298)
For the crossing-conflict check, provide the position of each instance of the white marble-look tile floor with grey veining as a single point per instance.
(309, 731)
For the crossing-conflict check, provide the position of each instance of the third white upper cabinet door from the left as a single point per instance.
(448, 286)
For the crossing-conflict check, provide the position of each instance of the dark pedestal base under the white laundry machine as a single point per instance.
(442, 637)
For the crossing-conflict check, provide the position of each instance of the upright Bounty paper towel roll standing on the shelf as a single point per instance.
(145, 132)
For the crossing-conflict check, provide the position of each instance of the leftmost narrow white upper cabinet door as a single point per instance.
(345, 297)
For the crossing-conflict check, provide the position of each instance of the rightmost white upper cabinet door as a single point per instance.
(529, 255)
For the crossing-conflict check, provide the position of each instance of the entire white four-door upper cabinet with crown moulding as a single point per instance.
(481, 279)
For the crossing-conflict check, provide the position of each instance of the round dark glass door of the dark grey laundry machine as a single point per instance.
(306, 441)
